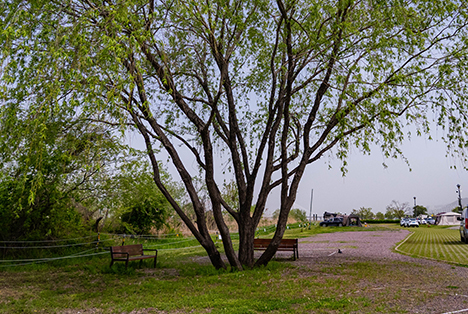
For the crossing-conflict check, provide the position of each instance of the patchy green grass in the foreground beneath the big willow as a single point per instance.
(189, 287)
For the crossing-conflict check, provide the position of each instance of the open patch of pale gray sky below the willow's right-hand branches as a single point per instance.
(369, 184)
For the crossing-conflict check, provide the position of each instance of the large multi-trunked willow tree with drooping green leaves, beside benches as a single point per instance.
(257, 88)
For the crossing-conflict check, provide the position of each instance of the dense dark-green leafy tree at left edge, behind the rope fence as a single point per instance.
(37, 202)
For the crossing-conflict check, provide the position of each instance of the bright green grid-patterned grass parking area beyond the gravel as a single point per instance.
(436, 242)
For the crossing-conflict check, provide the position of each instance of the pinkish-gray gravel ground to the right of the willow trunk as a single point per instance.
(418, 286)
